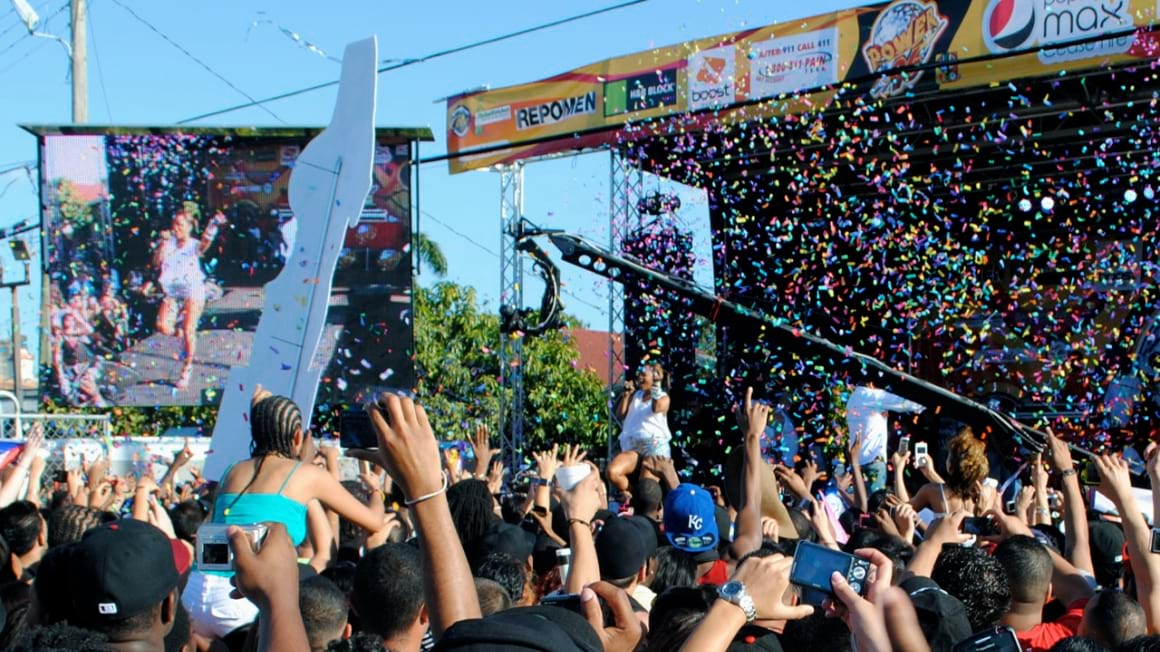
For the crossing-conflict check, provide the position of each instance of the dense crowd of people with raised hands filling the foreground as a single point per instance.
(420, 554)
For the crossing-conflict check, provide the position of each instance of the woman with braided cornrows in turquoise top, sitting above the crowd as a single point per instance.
(273, 486)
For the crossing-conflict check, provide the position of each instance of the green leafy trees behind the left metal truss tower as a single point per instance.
(459, 372)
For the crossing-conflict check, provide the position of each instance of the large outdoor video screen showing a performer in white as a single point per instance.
(158, 244)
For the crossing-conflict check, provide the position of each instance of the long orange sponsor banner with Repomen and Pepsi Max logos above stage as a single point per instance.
(729, 78)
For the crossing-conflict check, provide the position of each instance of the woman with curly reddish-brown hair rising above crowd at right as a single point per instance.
(963, 489)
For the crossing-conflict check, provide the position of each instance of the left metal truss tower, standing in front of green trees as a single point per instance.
(512, 399)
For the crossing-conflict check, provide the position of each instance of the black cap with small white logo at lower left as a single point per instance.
(119, 570)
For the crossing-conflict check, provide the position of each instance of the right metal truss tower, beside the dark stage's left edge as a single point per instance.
(626, 186)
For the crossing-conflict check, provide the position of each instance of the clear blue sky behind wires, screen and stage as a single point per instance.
(137, 78)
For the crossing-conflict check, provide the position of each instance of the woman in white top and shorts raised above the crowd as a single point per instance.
(643, 411)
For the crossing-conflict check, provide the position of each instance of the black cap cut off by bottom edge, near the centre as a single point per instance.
(524, 629)
